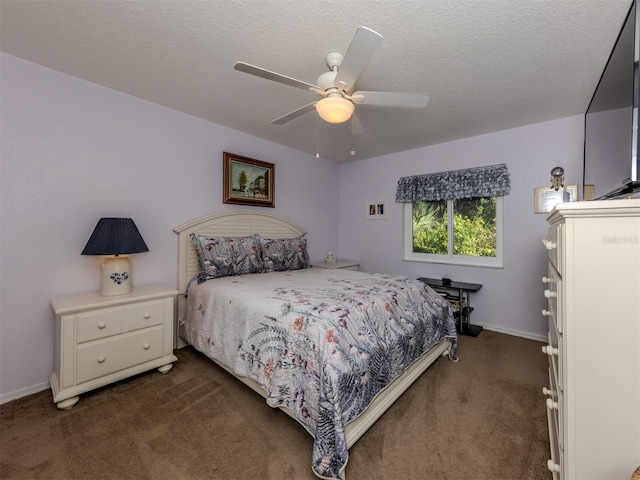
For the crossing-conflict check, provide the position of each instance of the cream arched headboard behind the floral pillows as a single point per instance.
(235, 223)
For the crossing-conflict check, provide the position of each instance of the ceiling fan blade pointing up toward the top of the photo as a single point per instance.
(364, 45)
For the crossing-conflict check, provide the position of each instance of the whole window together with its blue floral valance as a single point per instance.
(456, 216)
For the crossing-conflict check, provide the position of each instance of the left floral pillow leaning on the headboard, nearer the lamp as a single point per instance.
(227, 256)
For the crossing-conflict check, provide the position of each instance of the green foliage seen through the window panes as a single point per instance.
(474, 227)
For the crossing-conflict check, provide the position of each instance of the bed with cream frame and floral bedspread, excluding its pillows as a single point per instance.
(308, 340)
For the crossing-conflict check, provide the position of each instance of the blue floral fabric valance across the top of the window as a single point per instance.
(468, 183)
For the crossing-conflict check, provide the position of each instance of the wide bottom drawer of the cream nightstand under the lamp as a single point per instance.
(103, 357)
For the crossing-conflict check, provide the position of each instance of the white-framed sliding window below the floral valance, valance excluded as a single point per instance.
(466, 231)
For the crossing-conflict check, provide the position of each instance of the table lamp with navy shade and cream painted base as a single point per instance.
(115, 238)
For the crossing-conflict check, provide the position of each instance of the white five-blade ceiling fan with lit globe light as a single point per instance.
(336, 86)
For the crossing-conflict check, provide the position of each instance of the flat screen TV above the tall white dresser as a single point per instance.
(611, 121)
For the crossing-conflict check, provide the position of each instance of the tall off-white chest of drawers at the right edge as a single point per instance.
(593, 292)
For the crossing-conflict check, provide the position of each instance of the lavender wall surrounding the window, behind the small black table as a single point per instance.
(511, 298)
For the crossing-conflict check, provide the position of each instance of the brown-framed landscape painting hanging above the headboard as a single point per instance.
(247, 181)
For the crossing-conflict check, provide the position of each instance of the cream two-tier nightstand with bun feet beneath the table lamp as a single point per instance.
(100, 340)
